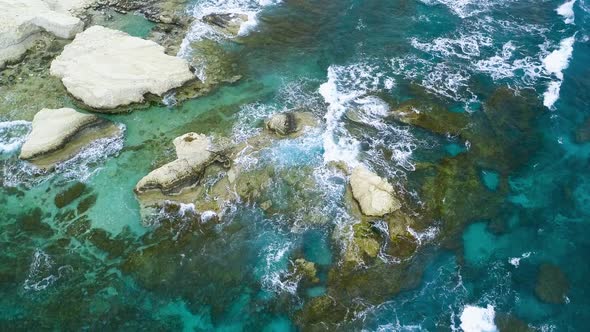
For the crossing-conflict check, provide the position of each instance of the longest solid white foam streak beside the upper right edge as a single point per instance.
(555, 63)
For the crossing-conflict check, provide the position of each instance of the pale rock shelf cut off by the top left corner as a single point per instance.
(23, 21)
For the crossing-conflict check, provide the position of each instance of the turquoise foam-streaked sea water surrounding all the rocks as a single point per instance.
(69, 269)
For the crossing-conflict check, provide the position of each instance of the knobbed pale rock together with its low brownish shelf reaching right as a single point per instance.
(204, 174)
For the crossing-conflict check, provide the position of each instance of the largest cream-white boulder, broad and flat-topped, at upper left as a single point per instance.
(107, 68)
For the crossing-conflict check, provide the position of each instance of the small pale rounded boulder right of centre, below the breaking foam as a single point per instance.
(374, 194)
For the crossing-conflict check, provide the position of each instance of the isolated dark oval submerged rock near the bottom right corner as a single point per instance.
(552, 285)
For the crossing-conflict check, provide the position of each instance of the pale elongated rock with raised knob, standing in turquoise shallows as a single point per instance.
(193, 153)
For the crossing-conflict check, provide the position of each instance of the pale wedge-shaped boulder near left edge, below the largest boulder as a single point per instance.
(53, 128)
